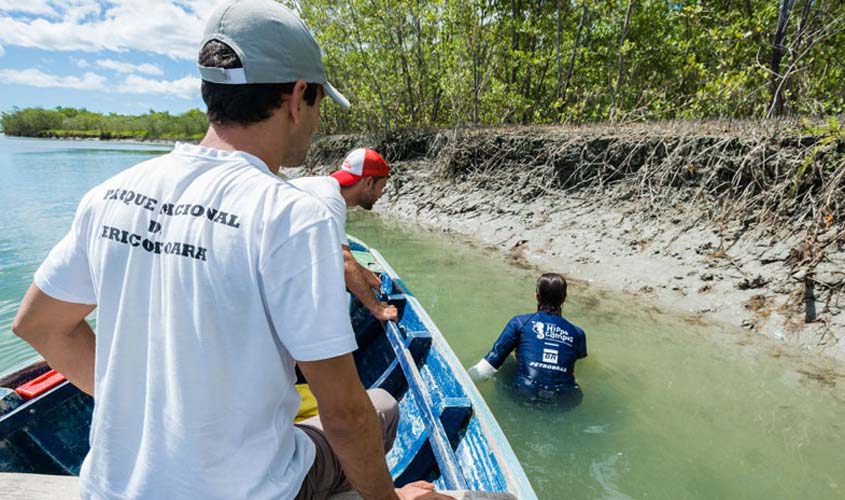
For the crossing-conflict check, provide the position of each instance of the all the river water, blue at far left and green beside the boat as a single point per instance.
(673, 409)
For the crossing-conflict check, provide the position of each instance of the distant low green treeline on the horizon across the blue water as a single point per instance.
(75, 123)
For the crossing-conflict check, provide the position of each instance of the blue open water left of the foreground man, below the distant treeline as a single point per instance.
(41, 182)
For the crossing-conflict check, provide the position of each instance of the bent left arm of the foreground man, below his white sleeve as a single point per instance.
(59, 332)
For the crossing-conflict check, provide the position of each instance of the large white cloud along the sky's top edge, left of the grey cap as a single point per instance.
(158, 26)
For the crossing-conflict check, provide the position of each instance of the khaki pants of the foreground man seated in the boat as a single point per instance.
(326, 477)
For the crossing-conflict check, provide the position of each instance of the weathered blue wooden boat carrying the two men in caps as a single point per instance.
(447, 435)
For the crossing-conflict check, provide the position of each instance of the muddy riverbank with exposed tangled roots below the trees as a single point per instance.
(704, 219)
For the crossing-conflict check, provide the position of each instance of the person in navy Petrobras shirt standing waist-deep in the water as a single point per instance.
(547, 346)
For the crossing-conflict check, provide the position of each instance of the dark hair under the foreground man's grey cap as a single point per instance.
(245, 103)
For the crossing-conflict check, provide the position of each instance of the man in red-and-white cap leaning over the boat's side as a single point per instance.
(358, 183)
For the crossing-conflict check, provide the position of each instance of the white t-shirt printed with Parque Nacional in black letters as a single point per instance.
(211, 276)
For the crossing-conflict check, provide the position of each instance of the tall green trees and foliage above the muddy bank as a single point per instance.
(495, 62)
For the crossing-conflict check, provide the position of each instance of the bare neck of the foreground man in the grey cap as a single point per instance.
(256, 140)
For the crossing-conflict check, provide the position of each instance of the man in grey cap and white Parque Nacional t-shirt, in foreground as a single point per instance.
(211, 278)
